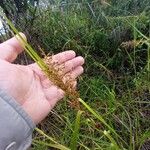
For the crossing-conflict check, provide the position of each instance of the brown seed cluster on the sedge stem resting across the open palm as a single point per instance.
(55, 73)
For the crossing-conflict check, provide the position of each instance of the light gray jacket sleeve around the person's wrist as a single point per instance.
(15, 125)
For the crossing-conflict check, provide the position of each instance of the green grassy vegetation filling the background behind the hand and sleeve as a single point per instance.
(114, 38)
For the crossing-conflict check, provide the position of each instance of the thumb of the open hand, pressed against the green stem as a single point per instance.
(10, 49)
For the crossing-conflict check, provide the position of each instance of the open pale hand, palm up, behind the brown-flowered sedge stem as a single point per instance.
(28, 84)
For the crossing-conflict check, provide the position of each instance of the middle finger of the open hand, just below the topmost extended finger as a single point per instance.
(72, 64)
